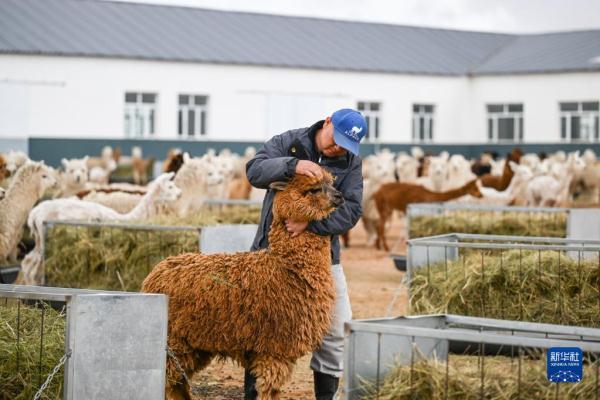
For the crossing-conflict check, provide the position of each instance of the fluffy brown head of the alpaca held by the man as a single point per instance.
(306, 198)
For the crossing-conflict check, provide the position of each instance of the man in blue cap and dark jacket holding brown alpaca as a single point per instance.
(332, 143)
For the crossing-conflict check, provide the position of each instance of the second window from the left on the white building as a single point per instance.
(191, 116)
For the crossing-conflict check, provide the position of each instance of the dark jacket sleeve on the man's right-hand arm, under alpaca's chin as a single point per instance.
(348, 214)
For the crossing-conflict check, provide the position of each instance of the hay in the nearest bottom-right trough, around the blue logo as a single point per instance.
(427, 380)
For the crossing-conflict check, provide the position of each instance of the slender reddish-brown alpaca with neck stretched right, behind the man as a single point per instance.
(397, 196)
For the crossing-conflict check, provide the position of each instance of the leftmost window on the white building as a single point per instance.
(140, 114)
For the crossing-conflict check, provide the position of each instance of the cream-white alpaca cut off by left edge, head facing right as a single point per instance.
(26, 188)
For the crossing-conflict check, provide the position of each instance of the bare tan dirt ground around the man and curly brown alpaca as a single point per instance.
(373, 283)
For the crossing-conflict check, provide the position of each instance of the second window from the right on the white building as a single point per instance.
(505, 122)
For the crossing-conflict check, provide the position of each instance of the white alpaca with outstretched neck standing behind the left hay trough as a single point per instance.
(161, 190)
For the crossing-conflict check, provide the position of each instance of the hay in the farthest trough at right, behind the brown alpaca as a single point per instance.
(490, 223)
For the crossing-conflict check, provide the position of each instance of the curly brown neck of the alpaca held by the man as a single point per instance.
(304, 250)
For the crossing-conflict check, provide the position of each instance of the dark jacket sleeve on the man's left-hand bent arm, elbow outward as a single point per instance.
(271, 164)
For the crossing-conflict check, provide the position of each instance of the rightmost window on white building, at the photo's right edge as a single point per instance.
(579, 121)
